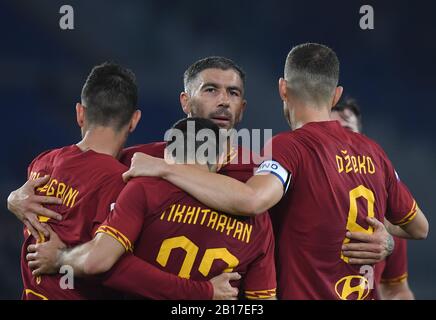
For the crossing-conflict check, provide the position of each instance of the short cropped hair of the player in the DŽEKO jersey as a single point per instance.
(312, 72)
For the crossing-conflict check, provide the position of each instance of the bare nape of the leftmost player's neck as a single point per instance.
(102, 140)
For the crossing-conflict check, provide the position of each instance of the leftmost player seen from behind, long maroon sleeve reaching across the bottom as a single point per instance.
(85, 179)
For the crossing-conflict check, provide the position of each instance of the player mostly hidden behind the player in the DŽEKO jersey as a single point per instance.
(391, 274)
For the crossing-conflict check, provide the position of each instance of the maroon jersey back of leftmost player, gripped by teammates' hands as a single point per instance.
(88, 183)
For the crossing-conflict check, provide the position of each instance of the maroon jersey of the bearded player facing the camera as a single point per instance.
(233, 167)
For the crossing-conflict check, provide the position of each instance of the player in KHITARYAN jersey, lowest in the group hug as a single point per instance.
(166, 227)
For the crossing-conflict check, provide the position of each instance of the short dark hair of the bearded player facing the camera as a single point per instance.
(214, 62)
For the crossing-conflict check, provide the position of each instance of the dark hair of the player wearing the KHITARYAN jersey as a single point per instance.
(214, 141)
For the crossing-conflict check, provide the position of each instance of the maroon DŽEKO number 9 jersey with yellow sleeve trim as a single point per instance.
(336, 179)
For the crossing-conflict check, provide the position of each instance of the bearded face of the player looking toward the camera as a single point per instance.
(217, 95)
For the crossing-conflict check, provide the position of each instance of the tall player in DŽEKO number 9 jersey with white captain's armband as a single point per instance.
(323, 181)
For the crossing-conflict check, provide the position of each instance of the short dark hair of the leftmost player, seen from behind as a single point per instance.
(110, 95)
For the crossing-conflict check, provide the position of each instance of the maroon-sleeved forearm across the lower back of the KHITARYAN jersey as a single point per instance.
(135, 276)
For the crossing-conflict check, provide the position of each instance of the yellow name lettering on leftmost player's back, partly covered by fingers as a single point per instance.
(58, 189)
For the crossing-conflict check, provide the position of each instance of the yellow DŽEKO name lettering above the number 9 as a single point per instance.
(356, 164)
